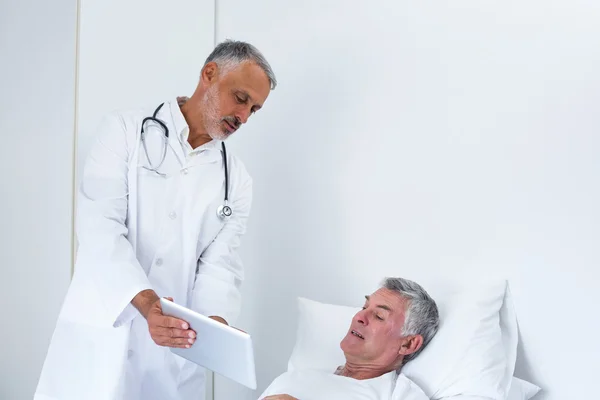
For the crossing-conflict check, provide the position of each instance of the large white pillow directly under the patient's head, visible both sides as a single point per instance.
(473, 353)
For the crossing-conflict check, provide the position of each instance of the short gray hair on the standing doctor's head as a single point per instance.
(231, 53)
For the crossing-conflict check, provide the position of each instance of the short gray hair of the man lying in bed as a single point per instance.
(422, 316)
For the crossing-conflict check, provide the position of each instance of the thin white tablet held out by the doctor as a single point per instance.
(218, 347)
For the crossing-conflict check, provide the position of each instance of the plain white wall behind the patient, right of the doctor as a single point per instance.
(426, 140)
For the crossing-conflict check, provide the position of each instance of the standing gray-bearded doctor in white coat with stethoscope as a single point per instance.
(161, 210)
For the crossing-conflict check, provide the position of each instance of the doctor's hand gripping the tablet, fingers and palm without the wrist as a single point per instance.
(168, 331)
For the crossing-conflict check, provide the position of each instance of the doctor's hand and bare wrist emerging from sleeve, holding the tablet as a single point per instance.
(164, 330)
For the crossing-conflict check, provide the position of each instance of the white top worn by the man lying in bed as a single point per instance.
(322, 385)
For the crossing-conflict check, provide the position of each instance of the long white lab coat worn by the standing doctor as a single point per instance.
(137, 230)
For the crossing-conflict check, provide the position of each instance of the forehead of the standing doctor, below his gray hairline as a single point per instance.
(250, 78)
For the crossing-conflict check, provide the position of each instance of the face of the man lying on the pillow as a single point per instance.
(374, 337)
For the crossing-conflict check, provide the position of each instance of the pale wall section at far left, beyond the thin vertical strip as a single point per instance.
(37, 106)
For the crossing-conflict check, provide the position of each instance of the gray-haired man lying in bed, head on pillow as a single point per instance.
(394, 326)
